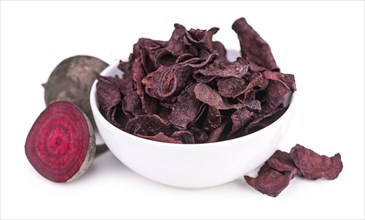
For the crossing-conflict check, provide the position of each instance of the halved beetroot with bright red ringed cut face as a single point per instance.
(61, 142)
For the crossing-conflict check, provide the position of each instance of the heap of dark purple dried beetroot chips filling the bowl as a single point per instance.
(184, 90)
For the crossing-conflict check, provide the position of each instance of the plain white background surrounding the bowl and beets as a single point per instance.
(322, 43)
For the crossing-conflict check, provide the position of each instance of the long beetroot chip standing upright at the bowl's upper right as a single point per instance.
(253, 47)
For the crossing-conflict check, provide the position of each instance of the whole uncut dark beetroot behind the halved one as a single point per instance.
(71, 81)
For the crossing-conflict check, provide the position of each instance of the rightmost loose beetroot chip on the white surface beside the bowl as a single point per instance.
(314, 166)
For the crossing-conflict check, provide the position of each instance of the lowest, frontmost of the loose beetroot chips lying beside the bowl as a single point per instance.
(269, 181)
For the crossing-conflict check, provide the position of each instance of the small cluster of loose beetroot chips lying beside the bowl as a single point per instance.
(274, 176)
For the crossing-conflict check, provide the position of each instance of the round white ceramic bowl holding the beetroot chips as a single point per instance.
(190, 165)
